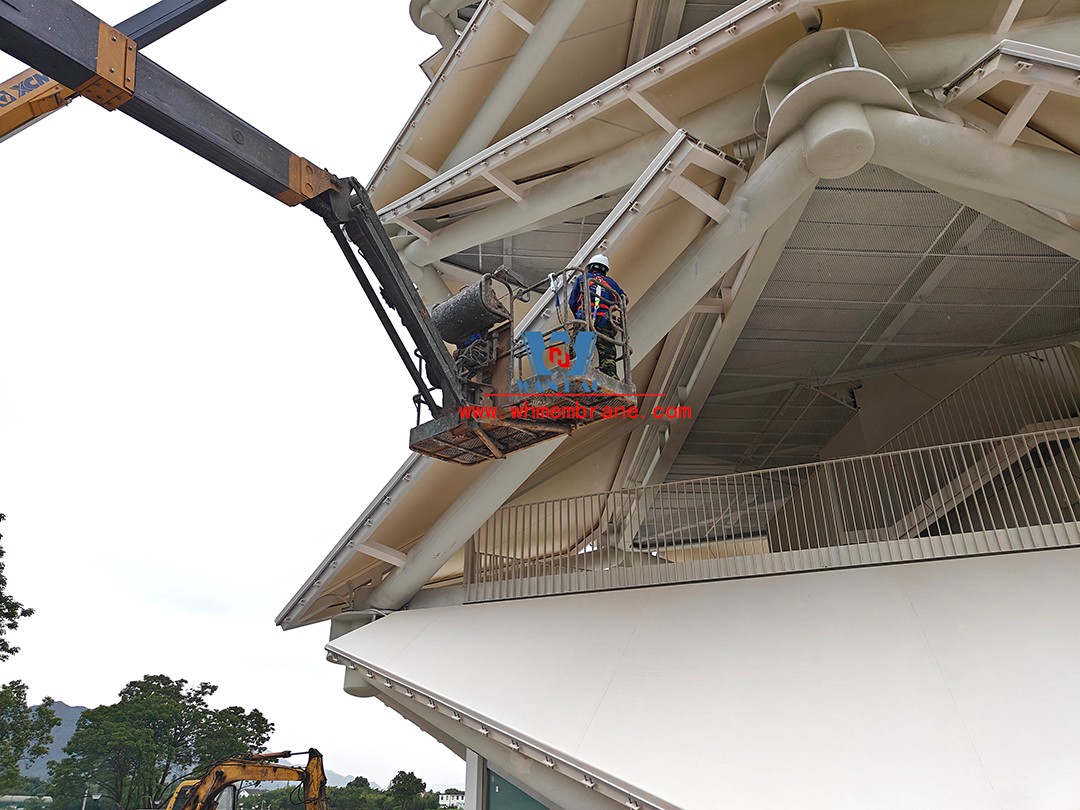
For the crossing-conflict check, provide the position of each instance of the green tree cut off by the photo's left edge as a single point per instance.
(25, 733)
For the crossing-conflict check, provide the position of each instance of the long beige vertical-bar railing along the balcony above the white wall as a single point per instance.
(983, 497)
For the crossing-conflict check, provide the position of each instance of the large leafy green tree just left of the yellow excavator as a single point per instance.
(160, 732)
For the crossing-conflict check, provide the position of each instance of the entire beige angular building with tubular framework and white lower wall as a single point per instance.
(833, 563)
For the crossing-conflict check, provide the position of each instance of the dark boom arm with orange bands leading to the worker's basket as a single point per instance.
(70, 45)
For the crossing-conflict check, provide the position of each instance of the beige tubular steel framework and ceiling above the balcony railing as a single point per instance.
(768, 306)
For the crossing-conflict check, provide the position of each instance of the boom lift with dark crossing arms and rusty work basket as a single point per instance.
(501, 393)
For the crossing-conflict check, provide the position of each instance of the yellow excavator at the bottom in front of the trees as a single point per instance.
(205, 793)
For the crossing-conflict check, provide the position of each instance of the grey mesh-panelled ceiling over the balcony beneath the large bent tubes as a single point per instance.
(881, 273)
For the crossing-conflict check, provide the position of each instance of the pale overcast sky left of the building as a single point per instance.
(196, 400)
